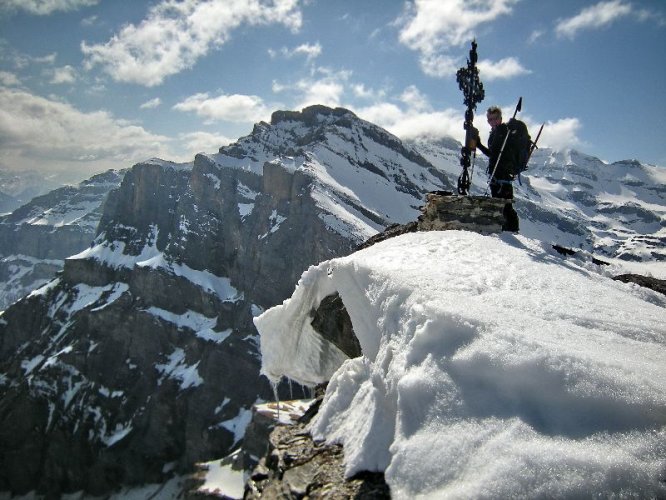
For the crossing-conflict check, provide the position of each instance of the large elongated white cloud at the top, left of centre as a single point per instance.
(176, 34)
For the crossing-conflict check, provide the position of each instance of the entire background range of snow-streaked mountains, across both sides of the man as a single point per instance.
(141, 358)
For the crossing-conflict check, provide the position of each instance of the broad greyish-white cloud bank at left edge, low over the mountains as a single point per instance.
(41, 133)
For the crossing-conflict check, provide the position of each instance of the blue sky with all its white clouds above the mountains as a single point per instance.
(87, 85)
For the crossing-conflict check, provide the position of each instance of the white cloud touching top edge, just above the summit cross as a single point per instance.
(433, 26)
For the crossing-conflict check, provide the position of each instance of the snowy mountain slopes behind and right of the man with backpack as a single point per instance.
(615, 211)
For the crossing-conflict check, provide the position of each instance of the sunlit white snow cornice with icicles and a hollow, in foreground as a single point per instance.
(491, 368)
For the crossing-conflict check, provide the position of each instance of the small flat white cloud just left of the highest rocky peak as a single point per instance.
(234, 108)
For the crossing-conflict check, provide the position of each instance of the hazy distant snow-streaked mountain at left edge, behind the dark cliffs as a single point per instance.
(36, 237)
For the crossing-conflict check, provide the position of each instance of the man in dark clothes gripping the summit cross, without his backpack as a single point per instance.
(500, 165)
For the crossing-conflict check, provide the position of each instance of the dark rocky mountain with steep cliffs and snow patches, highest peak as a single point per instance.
(141, 357)
